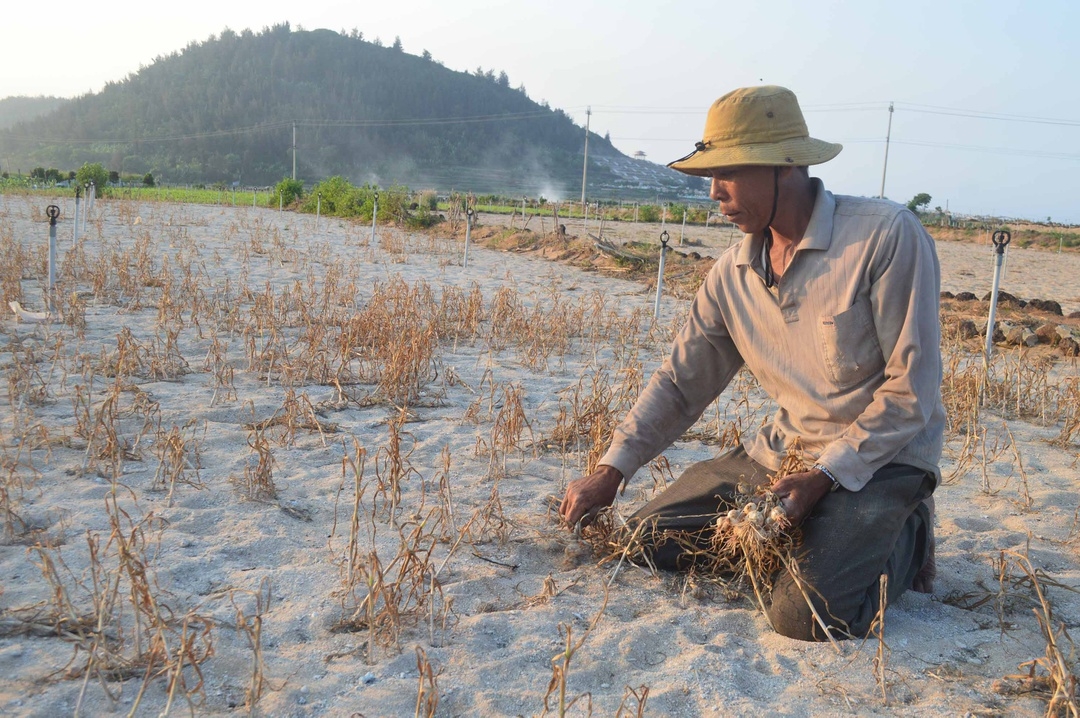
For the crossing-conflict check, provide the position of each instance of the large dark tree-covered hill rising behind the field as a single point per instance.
(224, 111)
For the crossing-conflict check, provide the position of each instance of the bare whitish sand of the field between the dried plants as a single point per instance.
(698, 653)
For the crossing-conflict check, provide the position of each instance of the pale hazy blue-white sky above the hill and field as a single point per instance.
(988, 101)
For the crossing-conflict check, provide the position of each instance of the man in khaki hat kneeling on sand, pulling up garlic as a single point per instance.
(832, 303)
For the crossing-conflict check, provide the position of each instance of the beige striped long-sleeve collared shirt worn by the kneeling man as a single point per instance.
(848, 344)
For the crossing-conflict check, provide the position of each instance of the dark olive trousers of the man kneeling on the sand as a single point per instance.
(848, 541)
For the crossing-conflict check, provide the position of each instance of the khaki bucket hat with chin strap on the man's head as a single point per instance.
(755, 126)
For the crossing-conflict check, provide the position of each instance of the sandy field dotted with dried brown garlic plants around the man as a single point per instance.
(261, 466)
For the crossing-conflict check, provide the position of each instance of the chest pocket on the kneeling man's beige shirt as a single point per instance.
(850, 346)
